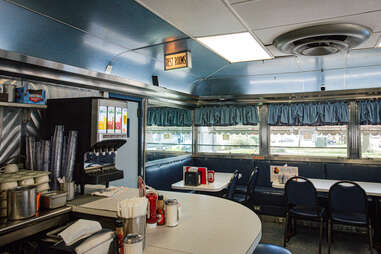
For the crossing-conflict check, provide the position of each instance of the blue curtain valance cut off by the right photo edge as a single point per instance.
(369, 112)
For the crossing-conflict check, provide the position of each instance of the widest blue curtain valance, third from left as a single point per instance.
(296, 114)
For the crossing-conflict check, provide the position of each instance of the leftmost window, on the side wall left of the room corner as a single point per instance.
(170, 139)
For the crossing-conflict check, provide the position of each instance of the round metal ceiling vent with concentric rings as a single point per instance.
(322, 40)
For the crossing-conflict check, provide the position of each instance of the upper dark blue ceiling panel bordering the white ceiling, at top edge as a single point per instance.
(122, 22)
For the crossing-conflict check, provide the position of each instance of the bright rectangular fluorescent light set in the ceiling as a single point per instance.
(239, 47)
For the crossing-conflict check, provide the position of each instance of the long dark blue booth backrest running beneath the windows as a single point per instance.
(162, 175)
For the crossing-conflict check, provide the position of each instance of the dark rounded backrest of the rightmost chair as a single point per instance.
(347, 197)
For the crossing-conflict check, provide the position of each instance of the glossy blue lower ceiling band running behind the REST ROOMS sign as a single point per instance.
(34, 35)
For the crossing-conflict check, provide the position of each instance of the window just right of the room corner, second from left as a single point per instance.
(239, 139)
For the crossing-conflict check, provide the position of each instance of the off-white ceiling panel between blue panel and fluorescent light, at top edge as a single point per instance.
(196, 17)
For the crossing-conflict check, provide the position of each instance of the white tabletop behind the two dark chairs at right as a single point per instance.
(323, 185)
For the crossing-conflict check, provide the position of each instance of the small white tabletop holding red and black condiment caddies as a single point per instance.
(221, 181)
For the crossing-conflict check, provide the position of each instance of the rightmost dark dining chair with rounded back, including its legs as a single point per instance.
(348, 205)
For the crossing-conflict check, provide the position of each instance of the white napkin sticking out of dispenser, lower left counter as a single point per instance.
(79, 230)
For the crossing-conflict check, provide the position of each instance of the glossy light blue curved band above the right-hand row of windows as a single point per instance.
(356, 78)
